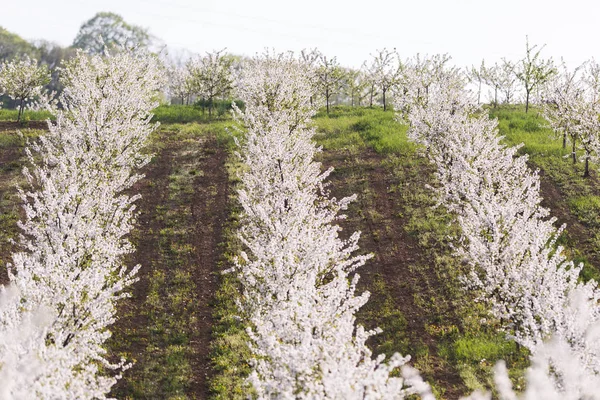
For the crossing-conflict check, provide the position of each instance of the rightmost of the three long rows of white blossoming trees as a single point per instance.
(507, 238)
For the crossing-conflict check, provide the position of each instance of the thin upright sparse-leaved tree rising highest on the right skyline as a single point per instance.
(533, 71)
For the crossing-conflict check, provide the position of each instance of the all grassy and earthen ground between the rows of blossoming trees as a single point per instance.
(182, 327)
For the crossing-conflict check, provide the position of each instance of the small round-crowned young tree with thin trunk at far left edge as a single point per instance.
(23, 80)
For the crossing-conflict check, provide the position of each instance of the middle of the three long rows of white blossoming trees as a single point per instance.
(297, 274)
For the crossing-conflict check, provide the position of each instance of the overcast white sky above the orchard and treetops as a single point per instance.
(468, 30)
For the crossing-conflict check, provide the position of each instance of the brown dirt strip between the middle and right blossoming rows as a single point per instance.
(406, 290)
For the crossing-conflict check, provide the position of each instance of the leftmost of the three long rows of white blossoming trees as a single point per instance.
(69, 274)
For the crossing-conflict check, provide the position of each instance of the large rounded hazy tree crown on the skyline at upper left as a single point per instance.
(107, 29)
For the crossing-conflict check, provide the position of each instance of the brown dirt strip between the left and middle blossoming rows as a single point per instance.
(165, 327)
